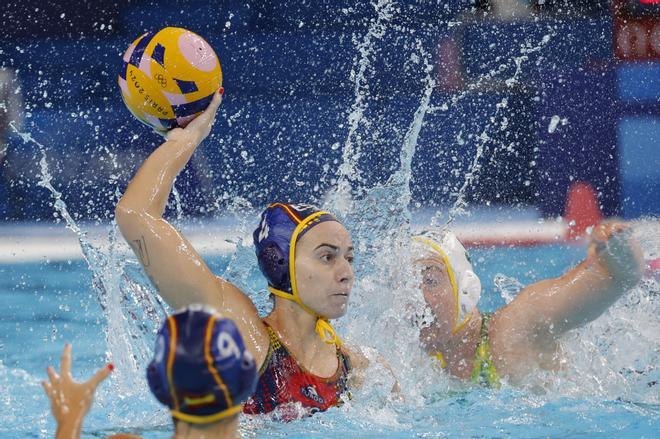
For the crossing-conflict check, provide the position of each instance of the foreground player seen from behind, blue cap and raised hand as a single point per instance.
(201, 371)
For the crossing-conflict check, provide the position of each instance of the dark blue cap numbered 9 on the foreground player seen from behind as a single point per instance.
(201, 369)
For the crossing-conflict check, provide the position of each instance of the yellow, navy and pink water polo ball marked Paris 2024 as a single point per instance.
(169, 77)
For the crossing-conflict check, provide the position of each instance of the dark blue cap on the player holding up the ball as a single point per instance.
(272, 239)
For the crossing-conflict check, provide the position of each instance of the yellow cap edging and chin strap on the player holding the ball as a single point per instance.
(323, 326)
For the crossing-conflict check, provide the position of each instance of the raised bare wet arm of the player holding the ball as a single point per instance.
(173, 265)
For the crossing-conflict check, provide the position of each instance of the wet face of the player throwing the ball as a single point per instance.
(323, 267)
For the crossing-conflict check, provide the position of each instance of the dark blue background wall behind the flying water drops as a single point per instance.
(284, 120)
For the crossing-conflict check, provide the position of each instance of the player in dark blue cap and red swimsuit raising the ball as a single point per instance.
(304, 253)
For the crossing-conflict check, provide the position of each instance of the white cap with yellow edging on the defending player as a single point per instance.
(464, 281)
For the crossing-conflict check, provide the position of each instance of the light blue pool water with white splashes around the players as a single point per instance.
(608, 388)
